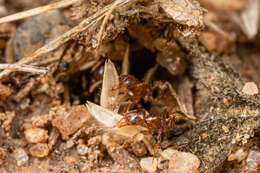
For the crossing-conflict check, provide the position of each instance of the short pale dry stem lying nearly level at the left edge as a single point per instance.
(24, 68)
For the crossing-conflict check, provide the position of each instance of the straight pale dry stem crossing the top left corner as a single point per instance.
(36, 11)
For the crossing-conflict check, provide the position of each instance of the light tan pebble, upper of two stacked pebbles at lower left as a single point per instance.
(36, 135)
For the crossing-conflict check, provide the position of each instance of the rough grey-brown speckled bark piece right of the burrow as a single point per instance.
(231, 117)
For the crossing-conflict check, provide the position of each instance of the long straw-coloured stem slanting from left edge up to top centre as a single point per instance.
(86, 23)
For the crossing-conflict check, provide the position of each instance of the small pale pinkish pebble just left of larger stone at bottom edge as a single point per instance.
(149, 164)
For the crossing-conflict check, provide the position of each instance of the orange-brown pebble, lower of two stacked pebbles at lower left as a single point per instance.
(39, 150)
